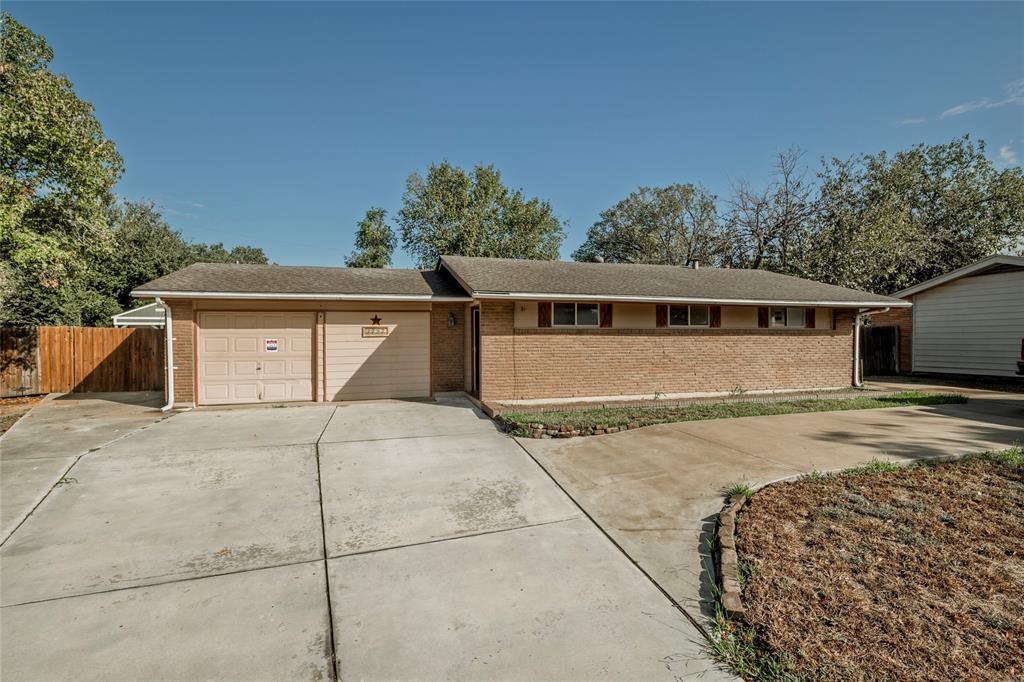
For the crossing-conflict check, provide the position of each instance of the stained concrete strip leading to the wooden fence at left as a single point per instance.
(45, 444)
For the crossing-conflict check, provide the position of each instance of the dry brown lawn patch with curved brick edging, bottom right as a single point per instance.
(890, 574)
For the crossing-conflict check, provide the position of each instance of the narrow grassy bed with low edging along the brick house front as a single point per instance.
(588, 420)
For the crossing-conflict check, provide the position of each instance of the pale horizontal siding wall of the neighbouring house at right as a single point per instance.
(970, 326)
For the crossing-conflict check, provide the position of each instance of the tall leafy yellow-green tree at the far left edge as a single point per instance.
(57, 169)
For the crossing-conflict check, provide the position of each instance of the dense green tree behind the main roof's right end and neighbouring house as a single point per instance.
(887, 223)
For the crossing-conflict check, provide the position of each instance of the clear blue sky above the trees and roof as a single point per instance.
(278, 125)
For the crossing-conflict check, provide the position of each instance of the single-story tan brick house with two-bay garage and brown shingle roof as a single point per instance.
(502, 330)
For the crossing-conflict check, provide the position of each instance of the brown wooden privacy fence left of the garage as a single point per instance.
(78, 360)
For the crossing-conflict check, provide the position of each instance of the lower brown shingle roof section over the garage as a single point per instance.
(242, 281)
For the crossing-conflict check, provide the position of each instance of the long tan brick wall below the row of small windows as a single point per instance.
(559, 363)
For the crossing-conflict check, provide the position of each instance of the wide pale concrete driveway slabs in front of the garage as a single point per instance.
(363, 541)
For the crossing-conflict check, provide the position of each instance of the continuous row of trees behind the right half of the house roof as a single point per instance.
(877, 223)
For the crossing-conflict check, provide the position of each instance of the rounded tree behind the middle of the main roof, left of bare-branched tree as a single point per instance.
(665, 226)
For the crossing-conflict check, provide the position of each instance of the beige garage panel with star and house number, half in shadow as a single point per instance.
(362, 364)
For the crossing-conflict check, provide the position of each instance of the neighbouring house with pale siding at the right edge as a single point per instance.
(967, 322)
